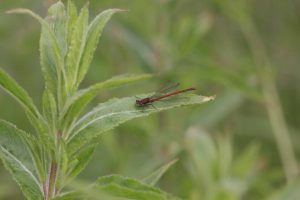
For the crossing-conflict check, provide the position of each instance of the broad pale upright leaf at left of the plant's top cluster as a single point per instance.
(53, 51)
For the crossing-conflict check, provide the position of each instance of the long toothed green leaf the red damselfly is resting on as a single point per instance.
(110, 114)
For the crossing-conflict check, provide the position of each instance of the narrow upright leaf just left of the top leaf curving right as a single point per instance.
(77, 43)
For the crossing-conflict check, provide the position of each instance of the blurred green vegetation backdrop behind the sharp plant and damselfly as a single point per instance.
(244, 145)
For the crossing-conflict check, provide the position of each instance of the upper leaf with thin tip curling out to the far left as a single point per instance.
(50, 53)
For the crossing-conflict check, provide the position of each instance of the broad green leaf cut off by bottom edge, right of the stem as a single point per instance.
(128, 188)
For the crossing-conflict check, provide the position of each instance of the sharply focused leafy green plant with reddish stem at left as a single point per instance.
(44, 162)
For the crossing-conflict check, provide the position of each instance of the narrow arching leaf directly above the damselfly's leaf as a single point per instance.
(79, 100)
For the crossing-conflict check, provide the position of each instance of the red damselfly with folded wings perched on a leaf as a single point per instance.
(161, 95)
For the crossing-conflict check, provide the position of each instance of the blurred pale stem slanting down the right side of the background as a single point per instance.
(271, 100)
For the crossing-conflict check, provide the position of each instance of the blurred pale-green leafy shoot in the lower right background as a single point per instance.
(217, 172)
